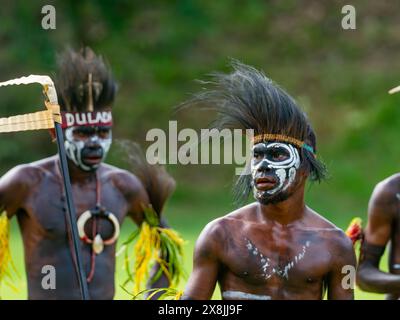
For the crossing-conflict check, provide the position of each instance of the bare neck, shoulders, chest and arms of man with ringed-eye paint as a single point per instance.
(280, 231)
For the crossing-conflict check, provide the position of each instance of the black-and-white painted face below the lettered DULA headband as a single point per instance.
(87, 146)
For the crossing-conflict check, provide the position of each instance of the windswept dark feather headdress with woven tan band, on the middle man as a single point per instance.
(247, 99)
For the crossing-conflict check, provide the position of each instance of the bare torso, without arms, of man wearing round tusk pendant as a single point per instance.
(47, 240)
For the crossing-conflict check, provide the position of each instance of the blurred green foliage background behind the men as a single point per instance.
(157, 48)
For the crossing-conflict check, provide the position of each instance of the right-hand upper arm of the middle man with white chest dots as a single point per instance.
(340, 286)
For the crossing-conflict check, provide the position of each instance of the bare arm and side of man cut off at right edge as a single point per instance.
(383, 226)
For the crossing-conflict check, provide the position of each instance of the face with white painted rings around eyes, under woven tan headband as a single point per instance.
(273, 168)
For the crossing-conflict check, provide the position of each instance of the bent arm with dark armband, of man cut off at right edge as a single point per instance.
(382, 210)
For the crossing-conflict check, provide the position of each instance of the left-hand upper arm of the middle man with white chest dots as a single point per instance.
(206, 264)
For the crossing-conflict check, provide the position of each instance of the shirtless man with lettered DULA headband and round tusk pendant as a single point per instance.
(103, 195)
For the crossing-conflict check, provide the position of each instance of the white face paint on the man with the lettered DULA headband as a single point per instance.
(76, 147)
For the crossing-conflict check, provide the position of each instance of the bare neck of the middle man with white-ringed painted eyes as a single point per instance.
(286, 211)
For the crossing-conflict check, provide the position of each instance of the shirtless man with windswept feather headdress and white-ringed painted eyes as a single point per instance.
(276, 247)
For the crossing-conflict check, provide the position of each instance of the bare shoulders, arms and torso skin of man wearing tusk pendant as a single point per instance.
(33, 193)
